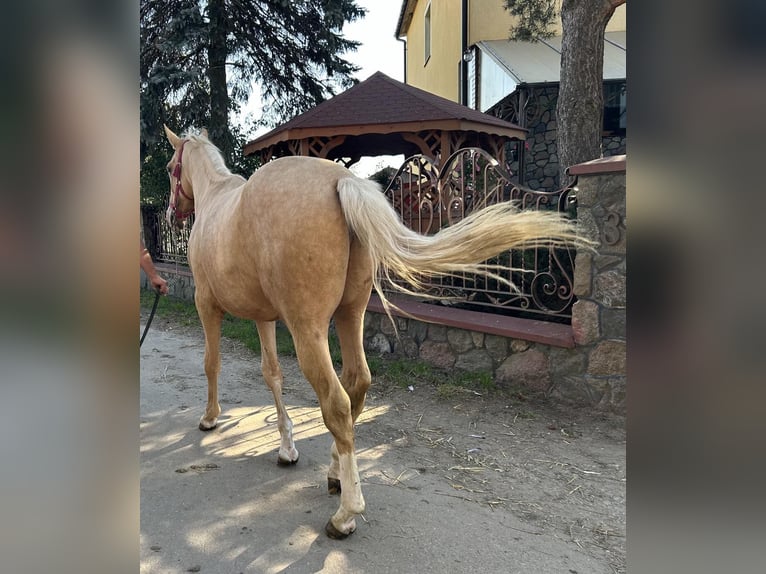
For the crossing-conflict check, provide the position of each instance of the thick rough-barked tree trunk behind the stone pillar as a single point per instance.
(580, 108)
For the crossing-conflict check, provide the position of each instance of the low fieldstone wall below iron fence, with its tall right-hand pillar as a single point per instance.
(593, 372)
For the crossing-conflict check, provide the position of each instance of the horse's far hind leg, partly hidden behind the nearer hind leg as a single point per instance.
(355, 375)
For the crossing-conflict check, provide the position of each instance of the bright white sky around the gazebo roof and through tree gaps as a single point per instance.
(379, 51)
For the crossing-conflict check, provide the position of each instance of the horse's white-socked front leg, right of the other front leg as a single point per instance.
(272, 374)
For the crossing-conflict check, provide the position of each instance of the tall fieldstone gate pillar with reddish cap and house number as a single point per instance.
(599, 314)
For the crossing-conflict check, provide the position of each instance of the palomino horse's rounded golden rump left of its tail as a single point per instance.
(293, 234)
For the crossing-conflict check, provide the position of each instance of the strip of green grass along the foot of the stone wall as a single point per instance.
(400, 372)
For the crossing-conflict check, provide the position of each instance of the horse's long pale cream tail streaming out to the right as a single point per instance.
(397, 251)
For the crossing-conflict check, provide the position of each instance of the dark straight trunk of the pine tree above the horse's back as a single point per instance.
(218, 130)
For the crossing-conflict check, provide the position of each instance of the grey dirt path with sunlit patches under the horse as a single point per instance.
(468, 483)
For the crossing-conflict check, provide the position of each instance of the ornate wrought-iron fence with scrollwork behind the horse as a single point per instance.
(429, 197)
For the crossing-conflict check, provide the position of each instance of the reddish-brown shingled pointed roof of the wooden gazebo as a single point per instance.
(382, 105)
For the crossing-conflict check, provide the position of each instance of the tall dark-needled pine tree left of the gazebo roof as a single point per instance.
(201, 58)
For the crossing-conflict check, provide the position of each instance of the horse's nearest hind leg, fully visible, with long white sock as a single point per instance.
(316, 364)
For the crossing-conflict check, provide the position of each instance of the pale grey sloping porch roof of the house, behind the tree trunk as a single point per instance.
(540, 62)
